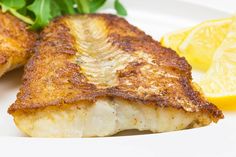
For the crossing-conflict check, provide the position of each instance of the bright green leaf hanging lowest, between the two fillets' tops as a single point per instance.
(41, 9)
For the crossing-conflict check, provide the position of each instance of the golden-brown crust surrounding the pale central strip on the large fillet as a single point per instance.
(52, 77)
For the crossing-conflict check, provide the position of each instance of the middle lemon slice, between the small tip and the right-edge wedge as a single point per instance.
(200, 44)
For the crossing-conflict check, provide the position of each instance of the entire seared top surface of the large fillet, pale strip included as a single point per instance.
(86, 57)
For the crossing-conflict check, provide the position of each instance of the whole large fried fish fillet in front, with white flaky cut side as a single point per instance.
(96, 75)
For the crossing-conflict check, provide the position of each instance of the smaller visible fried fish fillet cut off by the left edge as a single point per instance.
(16, 43)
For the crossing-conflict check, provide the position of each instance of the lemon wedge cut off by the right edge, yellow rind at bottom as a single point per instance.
(219, 83)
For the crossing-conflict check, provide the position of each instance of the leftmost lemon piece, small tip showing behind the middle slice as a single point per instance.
(174, 39)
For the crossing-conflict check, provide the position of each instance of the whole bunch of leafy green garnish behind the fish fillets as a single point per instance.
(38, 13)
